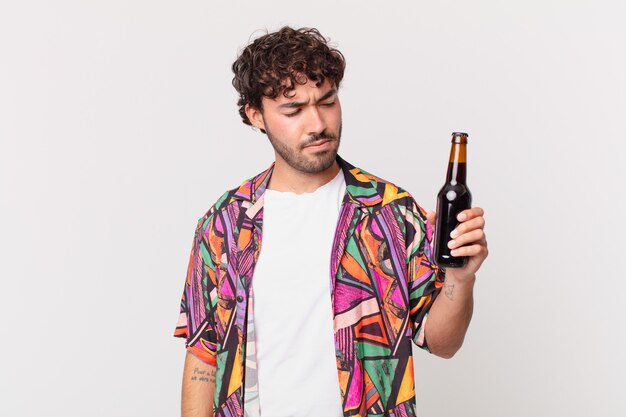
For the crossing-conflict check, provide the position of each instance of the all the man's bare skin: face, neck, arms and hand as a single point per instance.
(310, 115)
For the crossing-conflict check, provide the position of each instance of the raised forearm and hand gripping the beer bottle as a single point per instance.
(451, 312)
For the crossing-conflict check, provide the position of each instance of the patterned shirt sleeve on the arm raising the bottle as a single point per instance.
(425, 277)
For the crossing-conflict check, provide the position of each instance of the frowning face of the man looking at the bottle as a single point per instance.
(305, 128)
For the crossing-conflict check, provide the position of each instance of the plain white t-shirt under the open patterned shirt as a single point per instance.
(297, 370)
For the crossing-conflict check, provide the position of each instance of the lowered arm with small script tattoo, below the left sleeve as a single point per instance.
(198, 388)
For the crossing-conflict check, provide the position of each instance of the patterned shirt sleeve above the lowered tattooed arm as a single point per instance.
(195, 322)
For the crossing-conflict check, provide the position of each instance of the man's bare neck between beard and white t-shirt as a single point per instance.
(286, 178)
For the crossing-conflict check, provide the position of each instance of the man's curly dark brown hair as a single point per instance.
(275, 62)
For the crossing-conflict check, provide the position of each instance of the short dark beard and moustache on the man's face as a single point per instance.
(314, 163)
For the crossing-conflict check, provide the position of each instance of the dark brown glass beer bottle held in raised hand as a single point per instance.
(453, 198)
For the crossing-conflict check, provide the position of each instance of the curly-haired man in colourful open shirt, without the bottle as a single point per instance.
(308, 283)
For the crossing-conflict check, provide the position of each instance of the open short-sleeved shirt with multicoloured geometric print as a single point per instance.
(383, 281)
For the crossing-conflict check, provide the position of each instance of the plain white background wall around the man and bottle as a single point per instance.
(119, 128)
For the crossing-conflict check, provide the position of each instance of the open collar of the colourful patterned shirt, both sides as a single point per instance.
(362, 188)
